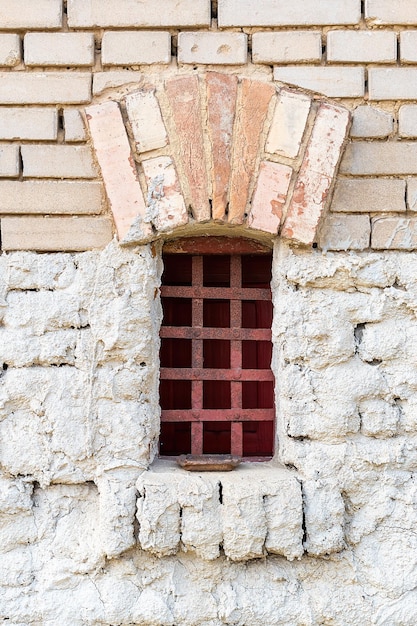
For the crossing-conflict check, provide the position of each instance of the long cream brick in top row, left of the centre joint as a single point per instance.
(133, 14)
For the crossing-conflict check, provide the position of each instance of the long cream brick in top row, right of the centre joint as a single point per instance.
(283, 13)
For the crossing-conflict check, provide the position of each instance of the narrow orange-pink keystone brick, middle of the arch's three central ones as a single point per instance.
(221, 94)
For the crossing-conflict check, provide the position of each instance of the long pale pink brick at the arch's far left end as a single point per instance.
(118, 168)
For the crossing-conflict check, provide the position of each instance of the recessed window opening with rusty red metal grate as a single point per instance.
(217, 387)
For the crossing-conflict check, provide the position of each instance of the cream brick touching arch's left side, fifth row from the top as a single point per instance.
(57, 162)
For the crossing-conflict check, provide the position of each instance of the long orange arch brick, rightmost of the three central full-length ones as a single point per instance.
(251, 114)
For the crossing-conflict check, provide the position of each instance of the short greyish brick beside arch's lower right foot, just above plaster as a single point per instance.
(345, 232)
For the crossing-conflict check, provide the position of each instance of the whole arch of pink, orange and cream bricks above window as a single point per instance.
(216, 148)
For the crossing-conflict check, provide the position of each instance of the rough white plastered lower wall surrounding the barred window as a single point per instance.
(79, 421)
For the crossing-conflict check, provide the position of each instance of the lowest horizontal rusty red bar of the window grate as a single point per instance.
(213, 415)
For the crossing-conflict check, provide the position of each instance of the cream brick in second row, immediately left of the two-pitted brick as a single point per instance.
(135, 47)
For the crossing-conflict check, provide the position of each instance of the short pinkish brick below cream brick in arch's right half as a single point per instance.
(270, 196)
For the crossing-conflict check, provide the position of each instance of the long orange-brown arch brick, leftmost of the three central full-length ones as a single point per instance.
(184, 98)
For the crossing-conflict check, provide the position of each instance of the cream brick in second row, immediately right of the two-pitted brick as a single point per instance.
(286, 47)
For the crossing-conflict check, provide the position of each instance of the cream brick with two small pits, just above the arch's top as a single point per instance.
(213, 48)
